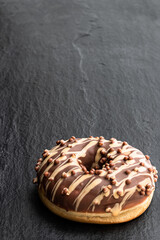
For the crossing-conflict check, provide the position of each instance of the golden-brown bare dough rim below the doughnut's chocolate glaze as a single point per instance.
(96, 218)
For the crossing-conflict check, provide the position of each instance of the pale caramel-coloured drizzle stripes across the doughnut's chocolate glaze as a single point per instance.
(126, 150)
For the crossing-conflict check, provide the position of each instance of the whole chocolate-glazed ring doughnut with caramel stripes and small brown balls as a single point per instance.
(95, 180)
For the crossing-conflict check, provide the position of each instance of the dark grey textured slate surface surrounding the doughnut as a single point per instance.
(74, 68)
